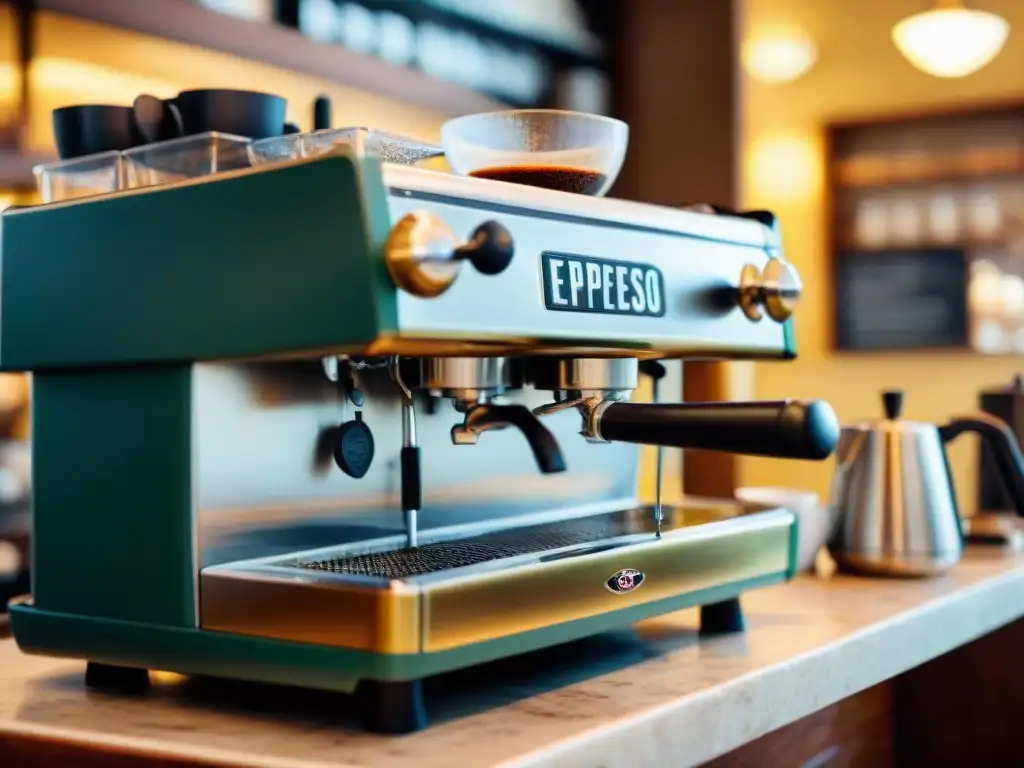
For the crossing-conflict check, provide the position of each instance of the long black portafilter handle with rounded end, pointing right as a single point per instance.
(781, 430)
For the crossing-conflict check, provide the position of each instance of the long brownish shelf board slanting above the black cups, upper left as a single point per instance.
(279, 47)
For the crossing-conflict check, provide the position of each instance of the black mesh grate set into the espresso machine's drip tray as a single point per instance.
(433, 559)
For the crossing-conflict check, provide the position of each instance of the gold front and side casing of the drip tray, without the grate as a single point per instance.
(441, 613)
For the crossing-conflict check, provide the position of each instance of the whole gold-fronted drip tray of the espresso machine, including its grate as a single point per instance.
(458, 592)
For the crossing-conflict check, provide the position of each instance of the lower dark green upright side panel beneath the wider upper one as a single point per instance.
(113, 515)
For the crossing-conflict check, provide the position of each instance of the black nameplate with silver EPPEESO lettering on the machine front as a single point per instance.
(586, 284)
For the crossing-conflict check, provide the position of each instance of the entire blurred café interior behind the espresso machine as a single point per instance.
(887, 136)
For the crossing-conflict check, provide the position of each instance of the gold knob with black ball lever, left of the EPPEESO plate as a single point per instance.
(424, 258)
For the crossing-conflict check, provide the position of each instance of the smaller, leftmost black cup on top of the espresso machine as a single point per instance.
(88, 130)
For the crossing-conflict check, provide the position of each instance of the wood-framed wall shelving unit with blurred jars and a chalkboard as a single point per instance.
(927, 231)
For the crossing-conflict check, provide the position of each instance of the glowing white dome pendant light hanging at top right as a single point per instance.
(951, 41)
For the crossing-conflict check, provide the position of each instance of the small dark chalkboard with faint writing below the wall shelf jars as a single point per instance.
(912, 300)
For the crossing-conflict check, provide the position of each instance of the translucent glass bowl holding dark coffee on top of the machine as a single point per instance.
(550, 149)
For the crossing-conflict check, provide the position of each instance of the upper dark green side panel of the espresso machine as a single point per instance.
(264, 264)
